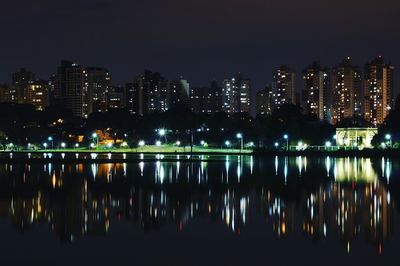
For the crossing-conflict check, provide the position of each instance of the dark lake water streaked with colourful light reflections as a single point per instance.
(233, 211)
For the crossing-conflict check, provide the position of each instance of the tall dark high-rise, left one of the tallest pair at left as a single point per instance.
(70, 89)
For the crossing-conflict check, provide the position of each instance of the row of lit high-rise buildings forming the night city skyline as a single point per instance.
(330, 93)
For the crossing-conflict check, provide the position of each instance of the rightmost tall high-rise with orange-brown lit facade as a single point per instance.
(378, 90)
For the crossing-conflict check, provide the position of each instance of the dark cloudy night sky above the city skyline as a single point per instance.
(199, 39)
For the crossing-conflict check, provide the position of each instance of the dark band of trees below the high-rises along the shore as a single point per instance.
(22, 124)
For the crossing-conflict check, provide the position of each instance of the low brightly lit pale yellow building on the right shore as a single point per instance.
(355, 137)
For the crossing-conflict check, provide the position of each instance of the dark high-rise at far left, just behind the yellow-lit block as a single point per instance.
(20, 82)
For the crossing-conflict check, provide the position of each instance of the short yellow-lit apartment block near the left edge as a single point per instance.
(37, 94)
